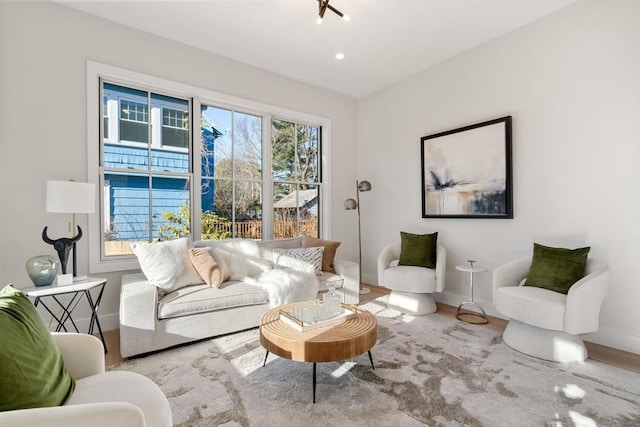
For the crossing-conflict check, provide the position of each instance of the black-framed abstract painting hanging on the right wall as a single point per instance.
(467, 172)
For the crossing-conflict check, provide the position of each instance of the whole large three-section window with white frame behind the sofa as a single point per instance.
(253, 170)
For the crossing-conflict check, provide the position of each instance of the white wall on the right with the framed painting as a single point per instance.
(571, 81)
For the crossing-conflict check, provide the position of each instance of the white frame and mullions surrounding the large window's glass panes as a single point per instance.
(97, 71)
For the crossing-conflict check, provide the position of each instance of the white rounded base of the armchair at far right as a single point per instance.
(556, 346)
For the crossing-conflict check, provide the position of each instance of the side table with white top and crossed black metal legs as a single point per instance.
(76, 290)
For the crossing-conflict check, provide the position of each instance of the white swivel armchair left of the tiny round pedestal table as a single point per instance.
(411, 287)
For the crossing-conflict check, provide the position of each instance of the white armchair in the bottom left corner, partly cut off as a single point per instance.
(100, 399)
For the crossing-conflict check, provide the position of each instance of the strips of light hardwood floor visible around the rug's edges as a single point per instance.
(608, 355)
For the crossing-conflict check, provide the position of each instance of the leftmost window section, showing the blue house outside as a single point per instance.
(146, 188)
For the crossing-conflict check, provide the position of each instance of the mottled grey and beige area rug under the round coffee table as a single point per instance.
(429, 370)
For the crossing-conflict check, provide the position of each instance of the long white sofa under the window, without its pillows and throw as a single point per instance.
(152, 319)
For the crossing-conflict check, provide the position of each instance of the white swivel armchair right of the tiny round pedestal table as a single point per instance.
(544, 323)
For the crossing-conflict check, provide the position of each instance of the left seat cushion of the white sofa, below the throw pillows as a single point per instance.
(202, 298)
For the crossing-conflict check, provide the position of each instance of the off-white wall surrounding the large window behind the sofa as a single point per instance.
(44, 48)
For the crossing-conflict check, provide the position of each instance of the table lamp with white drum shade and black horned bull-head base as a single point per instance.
(74, 198)
